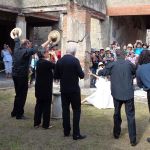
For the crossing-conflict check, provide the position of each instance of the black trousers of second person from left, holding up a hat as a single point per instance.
(42, 109)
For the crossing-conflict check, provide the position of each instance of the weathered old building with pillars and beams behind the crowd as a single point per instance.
(89, 23)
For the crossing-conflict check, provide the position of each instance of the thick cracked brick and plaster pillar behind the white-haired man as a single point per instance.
(76, 29)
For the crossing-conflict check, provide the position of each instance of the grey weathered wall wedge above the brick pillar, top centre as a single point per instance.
(98, 5)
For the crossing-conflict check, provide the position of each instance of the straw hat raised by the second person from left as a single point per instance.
(54, 36)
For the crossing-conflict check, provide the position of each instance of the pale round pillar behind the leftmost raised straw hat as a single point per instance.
(21, 23)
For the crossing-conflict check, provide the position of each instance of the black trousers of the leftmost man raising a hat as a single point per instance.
(21, 89)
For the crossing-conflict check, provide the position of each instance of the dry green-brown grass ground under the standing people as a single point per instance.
(95, 123)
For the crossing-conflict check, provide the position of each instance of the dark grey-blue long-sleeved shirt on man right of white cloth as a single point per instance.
(121, 76)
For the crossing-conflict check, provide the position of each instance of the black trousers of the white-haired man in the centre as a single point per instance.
(75, 100)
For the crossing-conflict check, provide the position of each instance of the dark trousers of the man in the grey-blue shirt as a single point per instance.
(130, 113)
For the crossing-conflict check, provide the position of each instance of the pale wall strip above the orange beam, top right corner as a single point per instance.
(112, 3)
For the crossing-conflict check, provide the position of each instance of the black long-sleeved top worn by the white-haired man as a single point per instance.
(68, 70)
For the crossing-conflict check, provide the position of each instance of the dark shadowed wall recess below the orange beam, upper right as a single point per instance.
(125, 30)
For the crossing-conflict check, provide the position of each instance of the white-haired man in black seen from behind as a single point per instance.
(68, 70)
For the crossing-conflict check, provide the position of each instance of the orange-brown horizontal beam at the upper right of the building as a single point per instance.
(128, 10)
